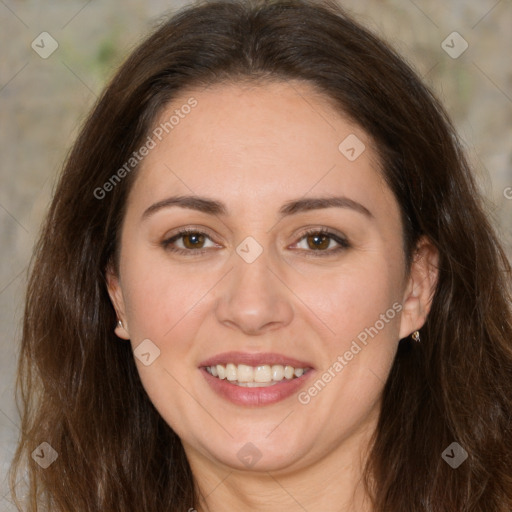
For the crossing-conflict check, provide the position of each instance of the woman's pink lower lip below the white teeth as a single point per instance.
(241, 395)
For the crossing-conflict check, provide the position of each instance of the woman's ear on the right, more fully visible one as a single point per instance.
(420, 288)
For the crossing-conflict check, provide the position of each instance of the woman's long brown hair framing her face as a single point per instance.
(78, 385)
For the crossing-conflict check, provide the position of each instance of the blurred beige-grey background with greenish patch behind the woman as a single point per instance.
(58, 54)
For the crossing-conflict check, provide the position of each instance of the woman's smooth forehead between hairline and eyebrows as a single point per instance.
(268, 141)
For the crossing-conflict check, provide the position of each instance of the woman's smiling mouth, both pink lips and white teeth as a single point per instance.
(255, 379)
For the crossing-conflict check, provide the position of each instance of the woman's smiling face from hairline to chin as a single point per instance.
(250, 290)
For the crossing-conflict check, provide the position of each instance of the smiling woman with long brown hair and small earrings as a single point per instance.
(266, 281)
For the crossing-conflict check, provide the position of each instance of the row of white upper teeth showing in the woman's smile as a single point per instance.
(259, 376)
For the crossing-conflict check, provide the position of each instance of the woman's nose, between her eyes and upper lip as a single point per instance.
(254, 300)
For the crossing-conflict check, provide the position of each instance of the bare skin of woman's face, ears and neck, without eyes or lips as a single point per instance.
(255, 147)
